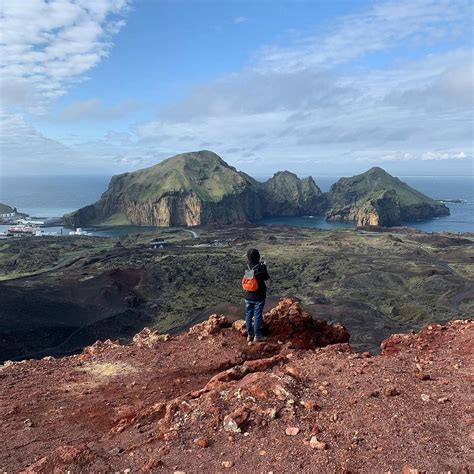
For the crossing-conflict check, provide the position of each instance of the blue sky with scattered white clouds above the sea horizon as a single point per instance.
(320, 87)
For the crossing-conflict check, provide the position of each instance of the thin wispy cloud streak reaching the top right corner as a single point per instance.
(386, 26)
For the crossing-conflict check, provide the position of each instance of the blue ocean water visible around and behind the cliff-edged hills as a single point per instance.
(53, 196)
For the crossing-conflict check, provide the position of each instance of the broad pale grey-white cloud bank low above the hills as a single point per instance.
(301, 120)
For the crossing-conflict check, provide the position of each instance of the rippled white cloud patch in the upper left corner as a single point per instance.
(47, 45)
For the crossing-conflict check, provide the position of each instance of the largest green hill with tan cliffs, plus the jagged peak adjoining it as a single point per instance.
(192, 189)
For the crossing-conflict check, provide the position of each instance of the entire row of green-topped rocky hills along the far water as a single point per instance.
(201, 188)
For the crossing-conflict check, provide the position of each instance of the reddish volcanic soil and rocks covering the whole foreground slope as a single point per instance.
(206, 401)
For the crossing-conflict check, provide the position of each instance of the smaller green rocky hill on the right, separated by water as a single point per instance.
(377, 198)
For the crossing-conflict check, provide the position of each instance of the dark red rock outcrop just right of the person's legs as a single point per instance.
(288, 322)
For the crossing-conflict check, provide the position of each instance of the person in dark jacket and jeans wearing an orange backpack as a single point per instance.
(255, 293)
